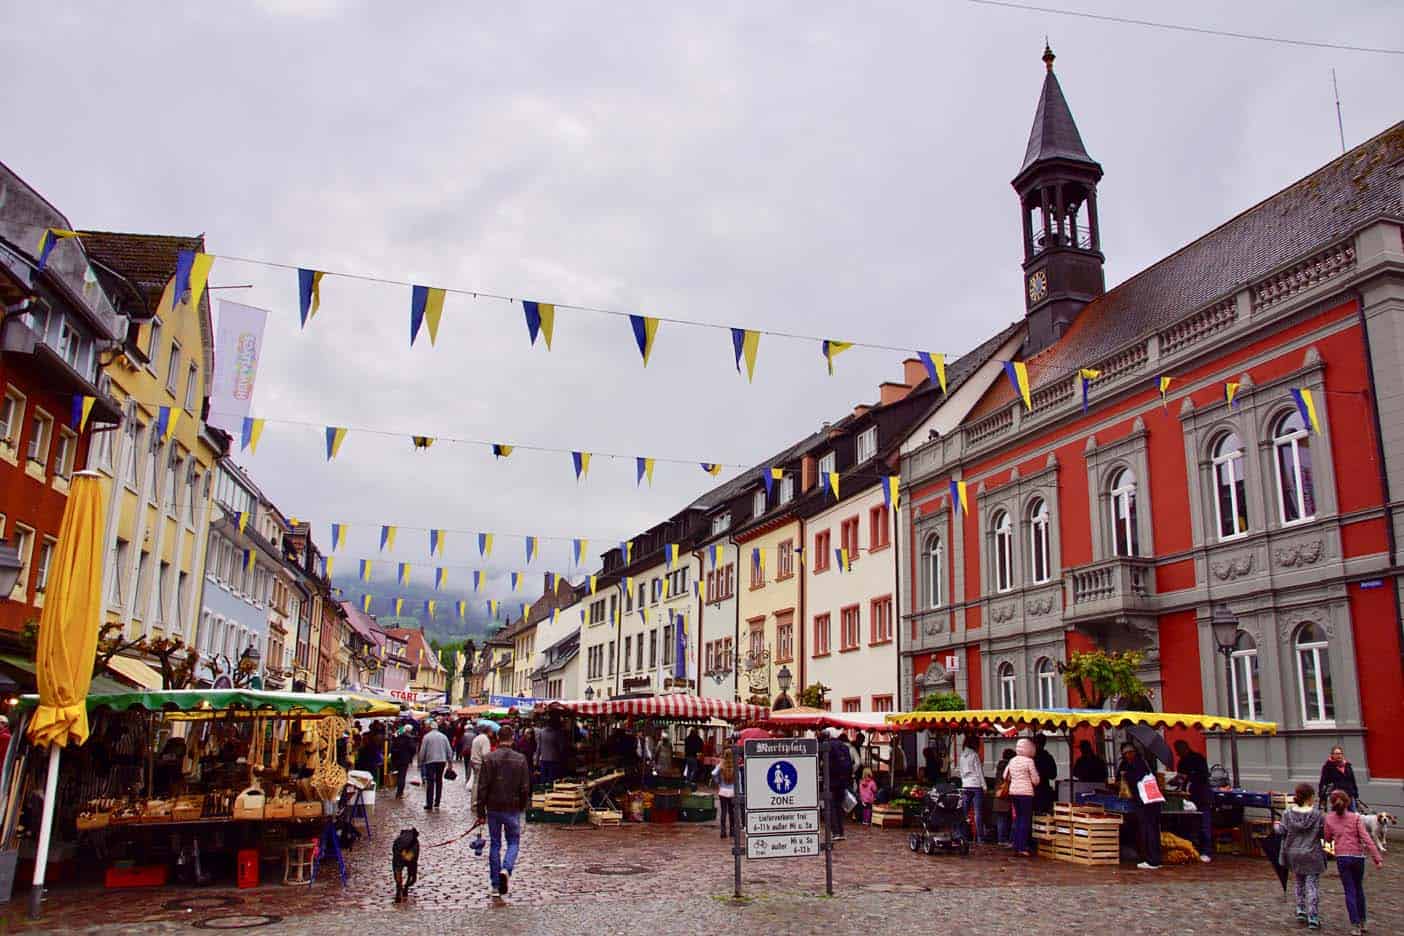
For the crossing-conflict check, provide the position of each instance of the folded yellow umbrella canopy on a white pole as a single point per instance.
(72, 618)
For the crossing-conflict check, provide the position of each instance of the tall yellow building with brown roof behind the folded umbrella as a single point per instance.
(159, 516)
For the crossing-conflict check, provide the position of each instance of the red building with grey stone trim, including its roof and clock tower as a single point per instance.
(1191, 478)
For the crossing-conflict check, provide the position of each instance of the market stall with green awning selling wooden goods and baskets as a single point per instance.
(196, 782)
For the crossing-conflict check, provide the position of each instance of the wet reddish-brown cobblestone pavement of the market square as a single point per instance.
(679, 878)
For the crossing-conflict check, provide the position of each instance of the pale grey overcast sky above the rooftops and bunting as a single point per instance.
(837, 171)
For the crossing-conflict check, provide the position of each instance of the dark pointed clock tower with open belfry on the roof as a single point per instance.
(1058, 200)
